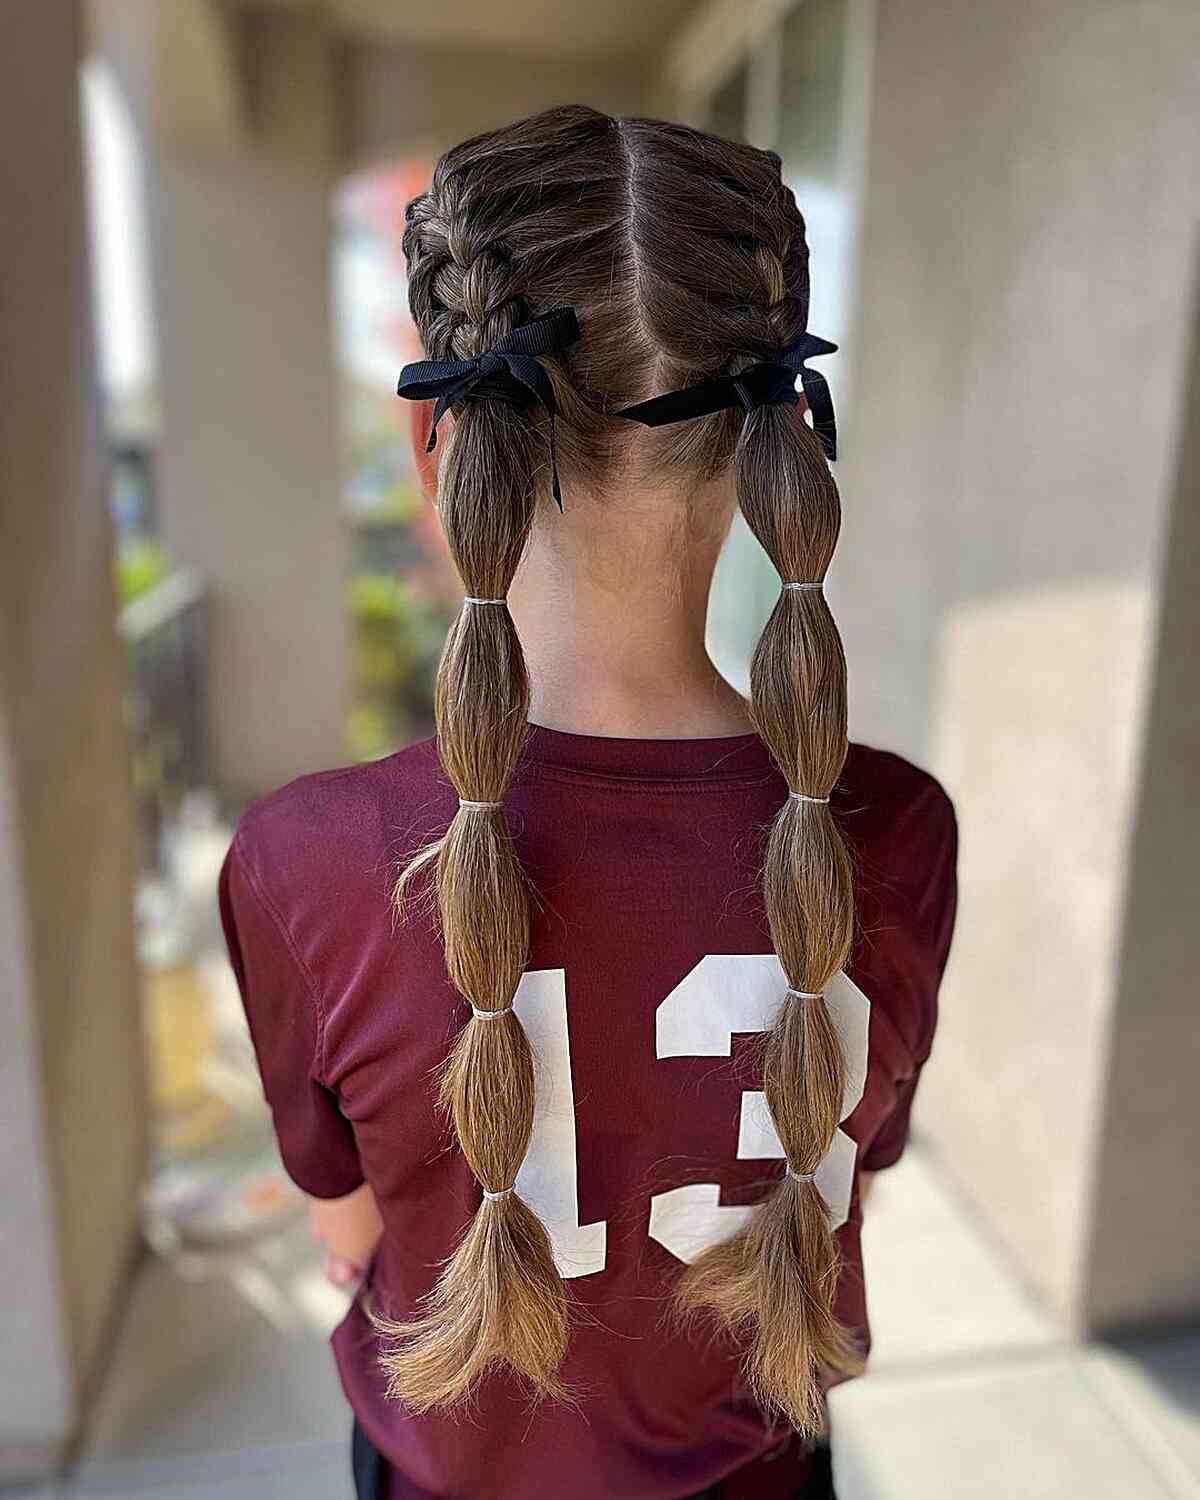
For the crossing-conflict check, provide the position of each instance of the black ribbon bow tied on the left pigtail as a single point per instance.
(509, 371)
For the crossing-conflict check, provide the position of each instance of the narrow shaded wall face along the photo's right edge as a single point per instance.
(1148, 1157)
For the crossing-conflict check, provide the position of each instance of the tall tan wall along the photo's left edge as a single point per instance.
(71, 1070)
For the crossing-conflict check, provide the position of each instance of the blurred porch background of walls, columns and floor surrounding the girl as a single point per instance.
(217, 574)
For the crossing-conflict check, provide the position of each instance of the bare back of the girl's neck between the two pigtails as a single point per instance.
(611, 605)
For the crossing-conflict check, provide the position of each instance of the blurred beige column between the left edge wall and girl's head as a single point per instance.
(248, 463)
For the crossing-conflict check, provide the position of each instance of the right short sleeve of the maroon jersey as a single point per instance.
(923, 874)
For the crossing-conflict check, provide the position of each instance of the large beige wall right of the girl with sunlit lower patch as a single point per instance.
(1019, 358)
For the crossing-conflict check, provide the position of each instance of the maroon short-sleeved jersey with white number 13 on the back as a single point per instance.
(650, 976)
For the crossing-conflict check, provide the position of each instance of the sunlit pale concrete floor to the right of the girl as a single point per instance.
(974, 1396)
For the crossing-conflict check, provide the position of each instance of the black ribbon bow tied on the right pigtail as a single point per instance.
(766, 385)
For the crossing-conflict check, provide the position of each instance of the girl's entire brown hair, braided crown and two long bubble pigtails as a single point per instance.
(685, 259)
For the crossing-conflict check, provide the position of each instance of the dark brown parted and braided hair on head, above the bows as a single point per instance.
(680, 253)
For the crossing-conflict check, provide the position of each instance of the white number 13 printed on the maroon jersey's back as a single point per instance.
(725, 994)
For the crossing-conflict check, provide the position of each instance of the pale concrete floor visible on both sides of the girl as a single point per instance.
(223, 1388)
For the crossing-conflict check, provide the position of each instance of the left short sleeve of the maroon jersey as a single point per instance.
(283, 1010)
